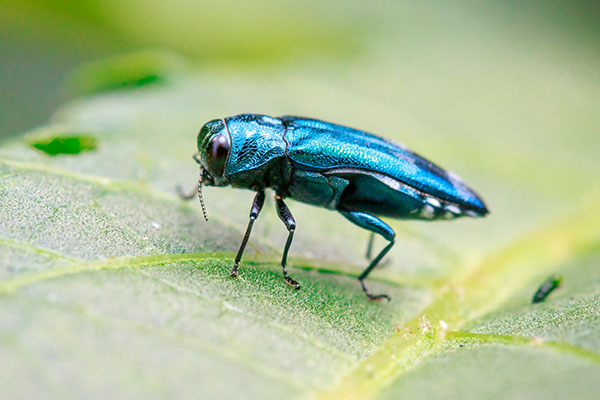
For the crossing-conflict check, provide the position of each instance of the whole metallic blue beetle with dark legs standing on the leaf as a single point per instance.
(358, 174)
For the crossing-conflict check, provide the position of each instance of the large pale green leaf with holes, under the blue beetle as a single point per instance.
(110, 286)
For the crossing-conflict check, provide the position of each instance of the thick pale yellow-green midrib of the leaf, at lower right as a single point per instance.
(495, 280)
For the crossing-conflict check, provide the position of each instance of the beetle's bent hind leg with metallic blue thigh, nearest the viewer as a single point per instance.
(375, 225)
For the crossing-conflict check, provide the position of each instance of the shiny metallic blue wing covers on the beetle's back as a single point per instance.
(321, 146)
